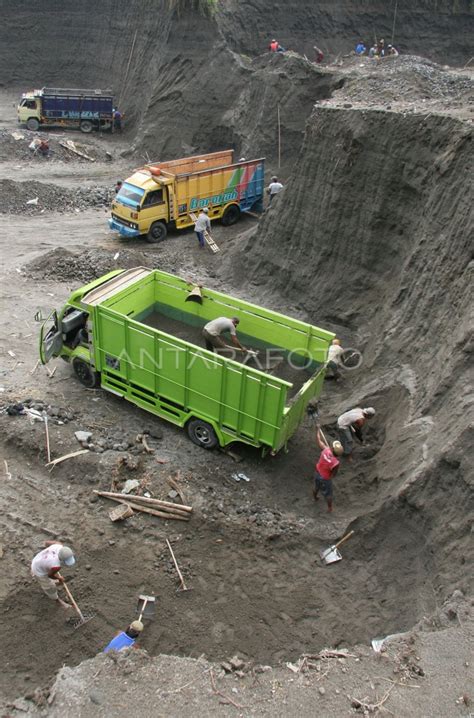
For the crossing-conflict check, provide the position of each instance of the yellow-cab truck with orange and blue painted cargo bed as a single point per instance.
(165, 195)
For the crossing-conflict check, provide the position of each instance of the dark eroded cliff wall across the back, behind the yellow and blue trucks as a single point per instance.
(189, 82)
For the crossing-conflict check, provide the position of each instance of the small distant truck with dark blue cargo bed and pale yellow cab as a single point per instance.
(86, 110)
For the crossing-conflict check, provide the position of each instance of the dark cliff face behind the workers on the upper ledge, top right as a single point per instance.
(438, 29)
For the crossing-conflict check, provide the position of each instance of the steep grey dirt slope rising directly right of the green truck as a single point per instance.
(372, 236)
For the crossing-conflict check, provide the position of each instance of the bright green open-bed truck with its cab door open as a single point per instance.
(136, 334)
